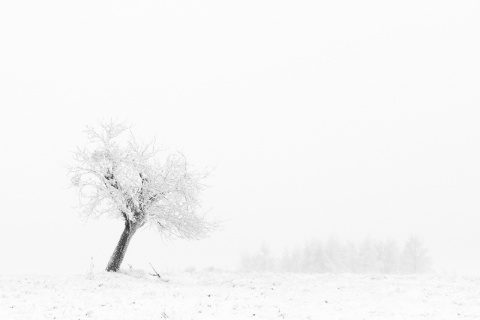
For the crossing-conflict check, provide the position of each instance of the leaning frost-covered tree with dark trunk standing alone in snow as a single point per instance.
(128, 181)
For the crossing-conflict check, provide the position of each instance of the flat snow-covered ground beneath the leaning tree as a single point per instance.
(222, 295)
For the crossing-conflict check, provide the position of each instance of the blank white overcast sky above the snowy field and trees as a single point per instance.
(351, 118)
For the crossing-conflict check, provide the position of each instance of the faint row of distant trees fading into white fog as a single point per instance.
(335, 256)
